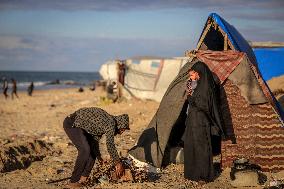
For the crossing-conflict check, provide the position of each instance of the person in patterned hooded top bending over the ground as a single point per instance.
(85, 128)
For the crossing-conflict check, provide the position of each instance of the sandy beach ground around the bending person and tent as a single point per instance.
(26, 120)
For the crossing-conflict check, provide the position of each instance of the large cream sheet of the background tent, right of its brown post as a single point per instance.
(150, 78)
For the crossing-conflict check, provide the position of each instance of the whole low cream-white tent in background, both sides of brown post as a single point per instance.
(145, 78)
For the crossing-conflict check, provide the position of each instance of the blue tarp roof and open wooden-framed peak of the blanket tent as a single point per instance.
(219, 35)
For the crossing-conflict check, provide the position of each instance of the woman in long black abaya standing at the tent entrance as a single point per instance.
(203, 121)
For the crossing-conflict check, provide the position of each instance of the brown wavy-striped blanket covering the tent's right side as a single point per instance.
(256, 129)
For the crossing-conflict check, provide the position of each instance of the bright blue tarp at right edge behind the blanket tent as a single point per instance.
(270, 61)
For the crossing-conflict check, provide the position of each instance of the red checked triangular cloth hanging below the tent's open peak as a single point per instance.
(222, 64)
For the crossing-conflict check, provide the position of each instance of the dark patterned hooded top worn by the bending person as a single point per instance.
(97, 122)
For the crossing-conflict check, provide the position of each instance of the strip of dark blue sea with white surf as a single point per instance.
(49, 80)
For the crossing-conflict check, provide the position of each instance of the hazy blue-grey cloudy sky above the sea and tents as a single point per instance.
(81, 35)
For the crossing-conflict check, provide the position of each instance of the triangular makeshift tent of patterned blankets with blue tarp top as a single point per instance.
(253, 119)
